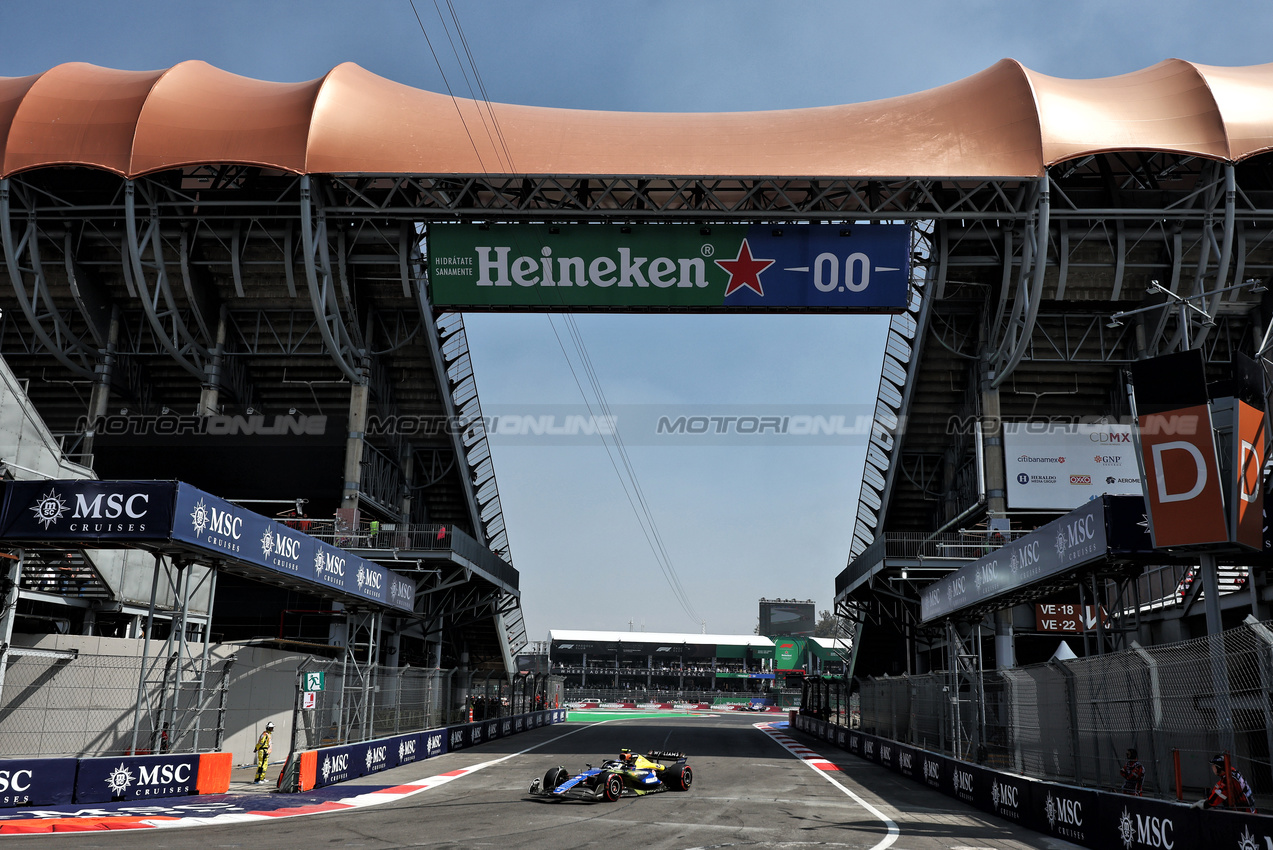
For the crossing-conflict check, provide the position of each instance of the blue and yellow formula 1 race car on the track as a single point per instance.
(631, 774)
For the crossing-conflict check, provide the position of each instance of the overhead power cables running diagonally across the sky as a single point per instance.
(628, 479)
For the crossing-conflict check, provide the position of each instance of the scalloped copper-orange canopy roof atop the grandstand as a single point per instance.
(1006, 122)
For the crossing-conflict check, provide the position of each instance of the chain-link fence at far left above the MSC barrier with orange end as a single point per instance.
(80, 704)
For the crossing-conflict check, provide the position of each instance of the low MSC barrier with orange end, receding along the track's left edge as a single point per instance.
(333, 765)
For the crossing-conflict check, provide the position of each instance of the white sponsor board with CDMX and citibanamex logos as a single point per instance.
(1058, 466)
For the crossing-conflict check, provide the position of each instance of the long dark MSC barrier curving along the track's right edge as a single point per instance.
(1080, 815)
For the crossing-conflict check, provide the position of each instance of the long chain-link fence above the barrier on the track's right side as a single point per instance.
(1177, 704)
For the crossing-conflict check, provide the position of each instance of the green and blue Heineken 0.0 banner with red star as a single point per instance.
(670, 268)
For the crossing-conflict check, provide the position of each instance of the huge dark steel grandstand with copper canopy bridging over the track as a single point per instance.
(192, 244)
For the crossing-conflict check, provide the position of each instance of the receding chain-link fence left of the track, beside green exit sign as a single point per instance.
(341, 703)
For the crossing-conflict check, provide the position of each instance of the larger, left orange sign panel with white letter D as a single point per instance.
(1182, 478)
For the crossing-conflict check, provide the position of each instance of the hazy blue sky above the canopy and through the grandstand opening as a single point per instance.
(739, 522)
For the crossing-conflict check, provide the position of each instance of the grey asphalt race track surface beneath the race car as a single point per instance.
(749, 792)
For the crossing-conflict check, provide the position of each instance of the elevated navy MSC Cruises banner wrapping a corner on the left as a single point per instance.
(155, 513)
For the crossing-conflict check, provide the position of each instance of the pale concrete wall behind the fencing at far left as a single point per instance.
(87, 704)
